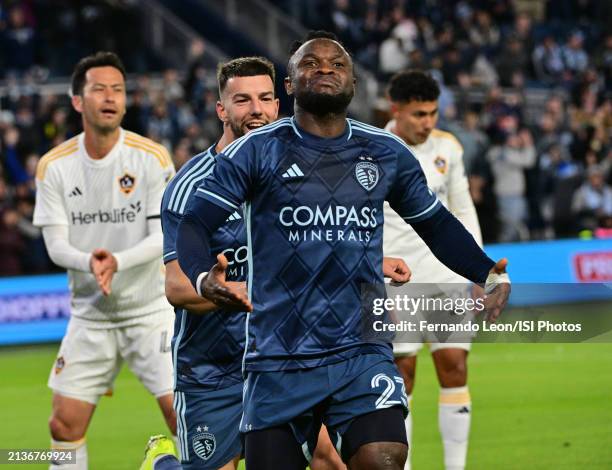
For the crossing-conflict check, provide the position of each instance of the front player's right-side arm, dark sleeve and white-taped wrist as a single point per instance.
(453, 245)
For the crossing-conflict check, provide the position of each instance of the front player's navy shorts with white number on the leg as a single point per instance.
(334, 395)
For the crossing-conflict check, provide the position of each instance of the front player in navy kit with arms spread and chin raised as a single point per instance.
(314, 187)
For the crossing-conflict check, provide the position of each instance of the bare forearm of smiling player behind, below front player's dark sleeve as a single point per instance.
(181, 294)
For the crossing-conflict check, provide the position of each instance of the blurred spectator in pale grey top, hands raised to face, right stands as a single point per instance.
(508, 162)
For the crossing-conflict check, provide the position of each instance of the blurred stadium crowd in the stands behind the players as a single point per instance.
(533, 175)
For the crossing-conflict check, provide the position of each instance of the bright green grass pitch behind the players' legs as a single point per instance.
(536, 406)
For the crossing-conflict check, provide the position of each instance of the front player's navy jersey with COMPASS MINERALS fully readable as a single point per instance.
(314, 217)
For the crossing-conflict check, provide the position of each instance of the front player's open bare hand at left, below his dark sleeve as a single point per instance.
(227, 295)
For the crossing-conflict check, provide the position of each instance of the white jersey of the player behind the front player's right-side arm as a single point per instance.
(441, 157)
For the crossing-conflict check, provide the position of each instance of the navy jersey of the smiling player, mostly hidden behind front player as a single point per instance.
(207, 349)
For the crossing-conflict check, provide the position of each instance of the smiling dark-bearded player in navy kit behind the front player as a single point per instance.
(208, 349)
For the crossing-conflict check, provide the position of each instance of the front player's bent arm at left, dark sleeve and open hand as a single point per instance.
(193, 248)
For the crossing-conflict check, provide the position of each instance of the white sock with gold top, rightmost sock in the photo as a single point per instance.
(454, 417)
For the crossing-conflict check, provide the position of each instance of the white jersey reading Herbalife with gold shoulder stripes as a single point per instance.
(106, 203)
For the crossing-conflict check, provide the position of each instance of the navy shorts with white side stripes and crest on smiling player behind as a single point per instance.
(207, 425)
